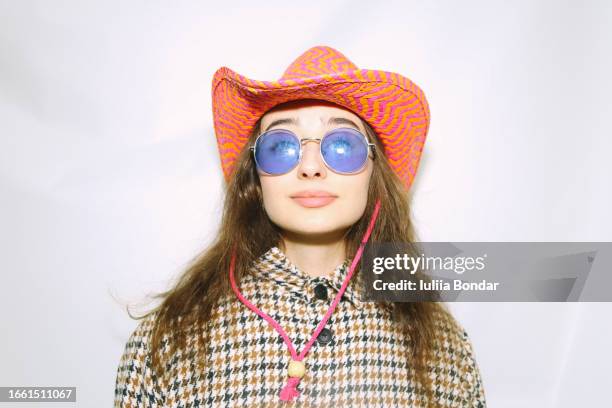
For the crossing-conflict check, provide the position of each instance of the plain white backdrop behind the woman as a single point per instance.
(110, 180)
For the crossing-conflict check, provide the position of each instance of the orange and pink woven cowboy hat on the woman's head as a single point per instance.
(390, 103)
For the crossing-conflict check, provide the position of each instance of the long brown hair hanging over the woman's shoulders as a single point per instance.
(186, 308)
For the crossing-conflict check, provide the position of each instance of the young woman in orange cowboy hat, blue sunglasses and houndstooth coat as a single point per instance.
(272, 314)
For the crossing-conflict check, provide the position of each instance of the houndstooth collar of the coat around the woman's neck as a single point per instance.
(274, 265)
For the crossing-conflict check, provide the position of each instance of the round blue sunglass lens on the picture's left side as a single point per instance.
(277, 151)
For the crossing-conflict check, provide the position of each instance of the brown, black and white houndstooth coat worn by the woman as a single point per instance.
(358, 360)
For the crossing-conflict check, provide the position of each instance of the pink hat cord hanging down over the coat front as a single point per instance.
(289, 391)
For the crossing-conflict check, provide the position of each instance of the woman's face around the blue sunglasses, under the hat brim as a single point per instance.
(304, 217)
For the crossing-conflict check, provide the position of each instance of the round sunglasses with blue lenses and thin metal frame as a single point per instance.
(343, 150)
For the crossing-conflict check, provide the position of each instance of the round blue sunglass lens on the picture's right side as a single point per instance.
(344, 150)
